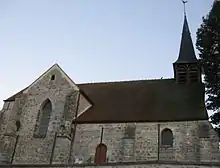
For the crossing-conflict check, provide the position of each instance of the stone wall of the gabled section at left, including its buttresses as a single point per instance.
(25, 146)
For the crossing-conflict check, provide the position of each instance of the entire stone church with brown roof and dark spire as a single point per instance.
(144, 123)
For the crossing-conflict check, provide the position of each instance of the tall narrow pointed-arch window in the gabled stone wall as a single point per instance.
(43, 119)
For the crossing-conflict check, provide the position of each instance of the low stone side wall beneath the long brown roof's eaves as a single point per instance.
(187, 146)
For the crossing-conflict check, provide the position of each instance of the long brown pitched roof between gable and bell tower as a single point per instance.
(144, 100)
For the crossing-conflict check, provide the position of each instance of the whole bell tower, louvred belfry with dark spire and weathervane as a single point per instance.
(186, 68)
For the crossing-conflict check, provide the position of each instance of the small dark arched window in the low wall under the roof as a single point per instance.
(167, 137)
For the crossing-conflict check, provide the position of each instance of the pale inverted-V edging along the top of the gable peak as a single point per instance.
(55, 66)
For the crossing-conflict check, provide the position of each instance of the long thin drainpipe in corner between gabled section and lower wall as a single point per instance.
(75, 123)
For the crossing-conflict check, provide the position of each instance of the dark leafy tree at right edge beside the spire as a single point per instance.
(208, 44)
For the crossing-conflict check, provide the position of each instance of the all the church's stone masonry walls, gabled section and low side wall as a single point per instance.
(67, 143)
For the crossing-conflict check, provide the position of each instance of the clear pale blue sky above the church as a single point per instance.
(92, 40)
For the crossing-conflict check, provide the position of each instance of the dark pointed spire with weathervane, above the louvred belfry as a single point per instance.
(186, 53)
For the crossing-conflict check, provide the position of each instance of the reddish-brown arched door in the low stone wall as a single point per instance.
(100, 154)
